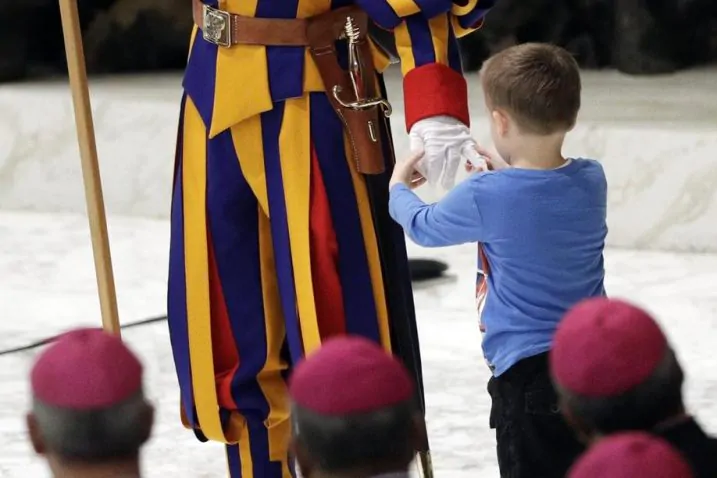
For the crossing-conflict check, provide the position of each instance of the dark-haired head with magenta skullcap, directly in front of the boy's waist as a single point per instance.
(614, 369)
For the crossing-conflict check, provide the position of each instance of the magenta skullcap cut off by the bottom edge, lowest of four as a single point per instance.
(631, 455)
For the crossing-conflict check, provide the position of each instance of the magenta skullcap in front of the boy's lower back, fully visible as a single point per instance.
(605, 347)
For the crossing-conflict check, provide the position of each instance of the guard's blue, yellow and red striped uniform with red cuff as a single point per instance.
(273, 247)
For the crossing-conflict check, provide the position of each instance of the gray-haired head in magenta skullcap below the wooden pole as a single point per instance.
(89, 415)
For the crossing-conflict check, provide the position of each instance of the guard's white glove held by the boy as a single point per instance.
(446, 143)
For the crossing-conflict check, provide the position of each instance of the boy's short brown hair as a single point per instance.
(537, 84)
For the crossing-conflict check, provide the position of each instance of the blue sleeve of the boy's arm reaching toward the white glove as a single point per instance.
(453, 220)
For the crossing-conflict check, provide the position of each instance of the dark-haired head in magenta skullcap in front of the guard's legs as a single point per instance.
(354, 413)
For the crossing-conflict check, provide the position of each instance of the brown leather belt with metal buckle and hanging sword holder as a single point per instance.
(353, 93)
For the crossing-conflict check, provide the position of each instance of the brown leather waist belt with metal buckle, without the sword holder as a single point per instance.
(227, 29)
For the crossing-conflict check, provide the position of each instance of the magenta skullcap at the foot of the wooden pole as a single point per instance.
(86, 369)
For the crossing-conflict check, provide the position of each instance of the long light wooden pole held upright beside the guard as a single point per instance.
(90, 166)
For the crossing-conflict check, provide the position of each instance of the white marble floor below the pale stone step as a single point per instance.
(47, 285)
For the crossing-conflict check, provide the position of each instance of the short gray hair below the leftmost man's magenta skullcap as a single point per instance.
(117, 432)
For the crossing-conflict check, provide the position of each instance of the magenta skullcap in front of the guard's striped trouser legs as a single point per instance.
(349, 375)
